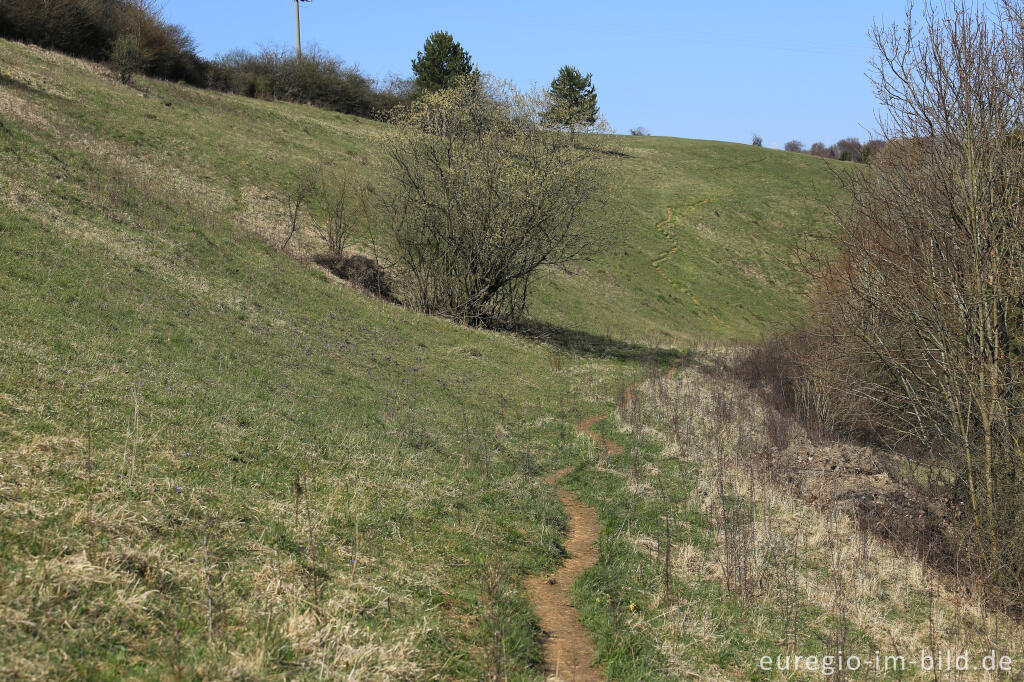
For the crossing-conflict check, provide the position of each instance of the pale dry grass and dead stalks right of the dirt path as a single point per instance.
(801, 526)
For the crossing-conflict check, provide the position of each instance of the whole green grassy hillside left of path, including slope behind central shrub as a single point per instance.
(219, 461)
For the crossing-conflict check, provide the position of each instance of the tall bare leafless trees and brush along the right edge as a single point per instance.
(918, 335)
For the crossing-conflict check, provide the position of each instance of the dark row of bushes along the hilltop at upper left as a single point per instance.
(99, 30)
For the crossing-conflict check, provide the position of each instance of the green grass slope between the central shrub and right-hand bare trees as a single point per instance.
(708, 236)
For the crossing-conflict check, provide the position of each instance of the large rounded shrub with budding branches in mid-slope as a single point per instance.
(482, 198)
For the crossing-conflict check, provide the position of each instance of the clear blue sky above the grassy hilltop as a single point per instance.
(703, 70)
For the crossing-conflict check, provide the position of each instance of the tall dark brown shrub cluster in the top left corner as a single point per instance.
(101, 30)
